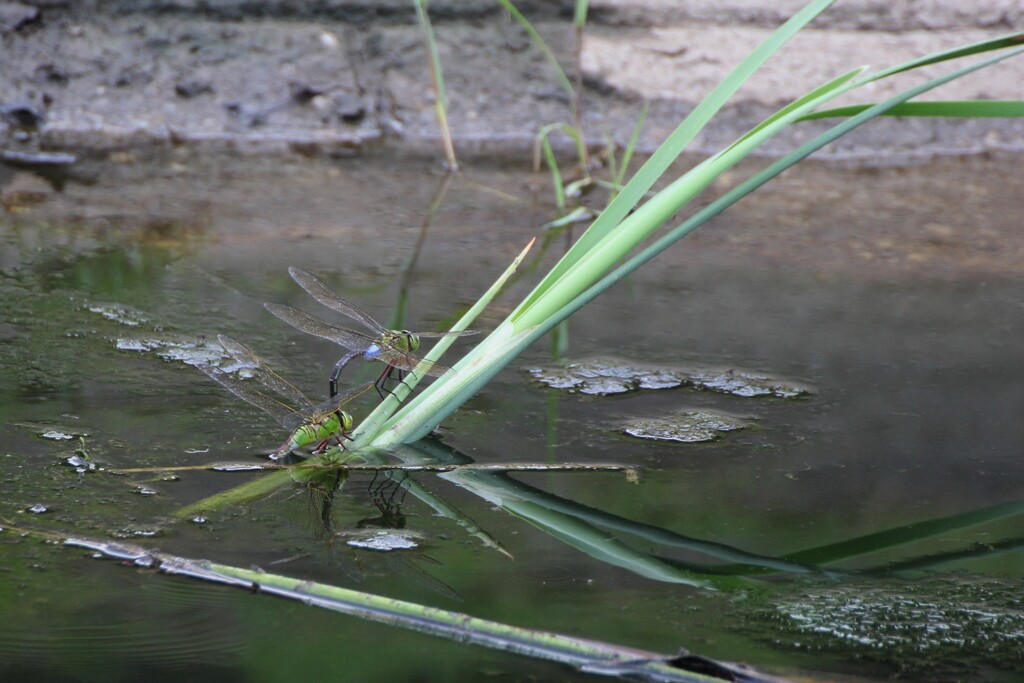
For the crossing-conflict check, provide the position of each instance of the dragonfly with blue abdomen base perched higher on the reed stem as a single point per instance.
(393, 348)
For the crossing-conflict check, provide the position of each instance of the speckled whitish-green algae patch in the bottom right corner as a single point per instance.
(936, 629)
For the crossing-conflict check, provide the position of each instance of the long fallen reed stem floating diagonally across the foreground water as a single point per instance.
(589, 656)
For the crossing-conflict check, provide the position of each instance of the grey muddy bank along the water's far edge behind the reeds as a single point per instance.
(338, 77)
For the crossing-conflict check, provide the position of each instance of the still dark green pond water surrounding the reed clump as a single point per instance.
(865, 525)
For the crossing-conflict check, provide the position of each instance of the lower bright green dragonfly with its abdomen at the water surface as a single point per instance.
(311, 424)
